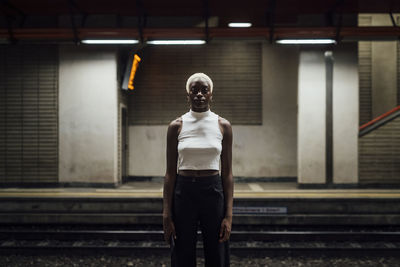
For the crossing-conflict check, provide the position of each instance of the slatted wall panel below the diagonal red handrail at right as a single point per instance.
(379, 154)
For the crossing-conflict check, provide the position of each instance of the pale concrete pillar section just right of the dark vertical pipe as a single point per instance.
(345, 114)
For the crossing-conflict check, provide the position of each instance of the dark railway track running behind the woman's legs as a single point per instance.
(151, 241)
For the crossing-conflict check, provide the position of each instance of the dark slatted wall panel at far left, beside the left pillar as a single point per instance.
(28, 114)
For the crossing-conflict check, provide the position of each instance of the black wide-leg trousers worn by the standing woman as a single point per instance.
(199, 201)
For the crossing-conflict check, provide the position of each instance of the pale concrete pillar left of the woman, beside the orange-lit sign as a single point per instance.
(88, 115)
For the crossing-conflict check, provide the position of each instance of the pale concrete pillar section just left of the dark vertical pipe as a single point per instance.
(311, 153)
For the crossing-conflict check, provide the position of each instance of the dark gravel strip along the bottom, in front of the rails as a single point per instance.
(153, 260)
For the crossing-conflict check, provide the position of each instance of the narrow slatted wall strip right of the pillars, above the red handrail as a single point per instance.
(365, 73)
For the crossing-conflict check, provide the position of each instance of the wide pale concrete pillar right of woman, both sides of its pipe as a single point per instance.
(312, 136)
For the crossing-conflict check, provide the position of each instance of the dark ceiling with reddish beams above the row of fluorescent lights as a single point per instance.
(27, 18)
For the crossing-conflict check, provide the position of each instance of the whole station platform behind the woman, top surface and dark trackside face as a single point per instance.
(255, 203)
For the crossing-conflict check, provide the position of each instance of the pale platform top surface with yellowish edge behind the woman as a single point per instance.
(242, 190)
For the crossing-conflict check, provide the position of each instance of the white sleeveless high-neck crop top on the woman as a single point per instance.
(199, 142)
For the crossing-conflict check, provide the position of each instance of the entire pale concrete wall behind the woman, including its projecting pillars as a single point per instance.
(89, 120)
